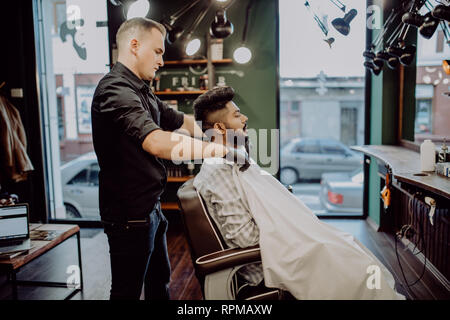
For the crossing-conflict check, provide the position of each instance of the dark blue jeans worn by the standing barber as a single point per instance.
(139, 257)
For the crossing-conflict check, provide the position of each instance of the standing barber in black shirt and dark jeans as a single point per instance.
(131, 133)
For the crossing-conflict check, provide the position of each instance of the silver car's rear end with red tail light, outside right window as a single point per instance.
(342, 191)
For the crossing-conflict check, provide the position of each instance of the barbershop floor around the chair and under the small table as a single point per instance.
(184, 285)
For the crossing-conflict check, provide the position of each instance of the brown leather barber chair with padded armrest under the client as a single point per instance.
(215, 264)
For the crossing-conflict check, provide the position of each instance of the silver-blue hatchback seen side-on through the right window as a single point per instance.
(309, 158)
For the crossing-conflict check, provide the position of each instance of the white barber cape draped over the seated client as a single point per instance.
(303, 255)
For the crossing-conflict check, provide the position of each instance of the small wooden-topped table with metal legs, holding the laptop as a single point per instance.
(38, 248)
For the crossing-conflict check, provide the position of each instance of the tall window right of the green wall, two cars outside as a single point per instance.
(322, 106)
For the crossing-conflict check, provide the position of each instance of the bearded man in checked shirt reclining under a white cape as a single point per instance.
(299, 253)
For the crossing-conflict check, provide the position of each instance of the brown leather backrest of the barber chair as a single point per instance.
(201, 232)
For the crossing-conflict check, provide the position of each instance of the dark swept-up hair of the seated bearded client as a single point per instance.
(211, 101)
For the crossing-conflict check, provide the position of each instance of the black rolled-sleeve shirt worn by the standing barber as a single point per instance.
(124, 111)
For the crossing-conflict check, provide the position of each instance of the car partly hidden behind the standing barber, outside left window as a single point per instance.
(79, 179)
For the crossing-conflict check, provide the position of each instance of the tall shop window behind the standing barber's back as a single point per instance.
(74, 56)
